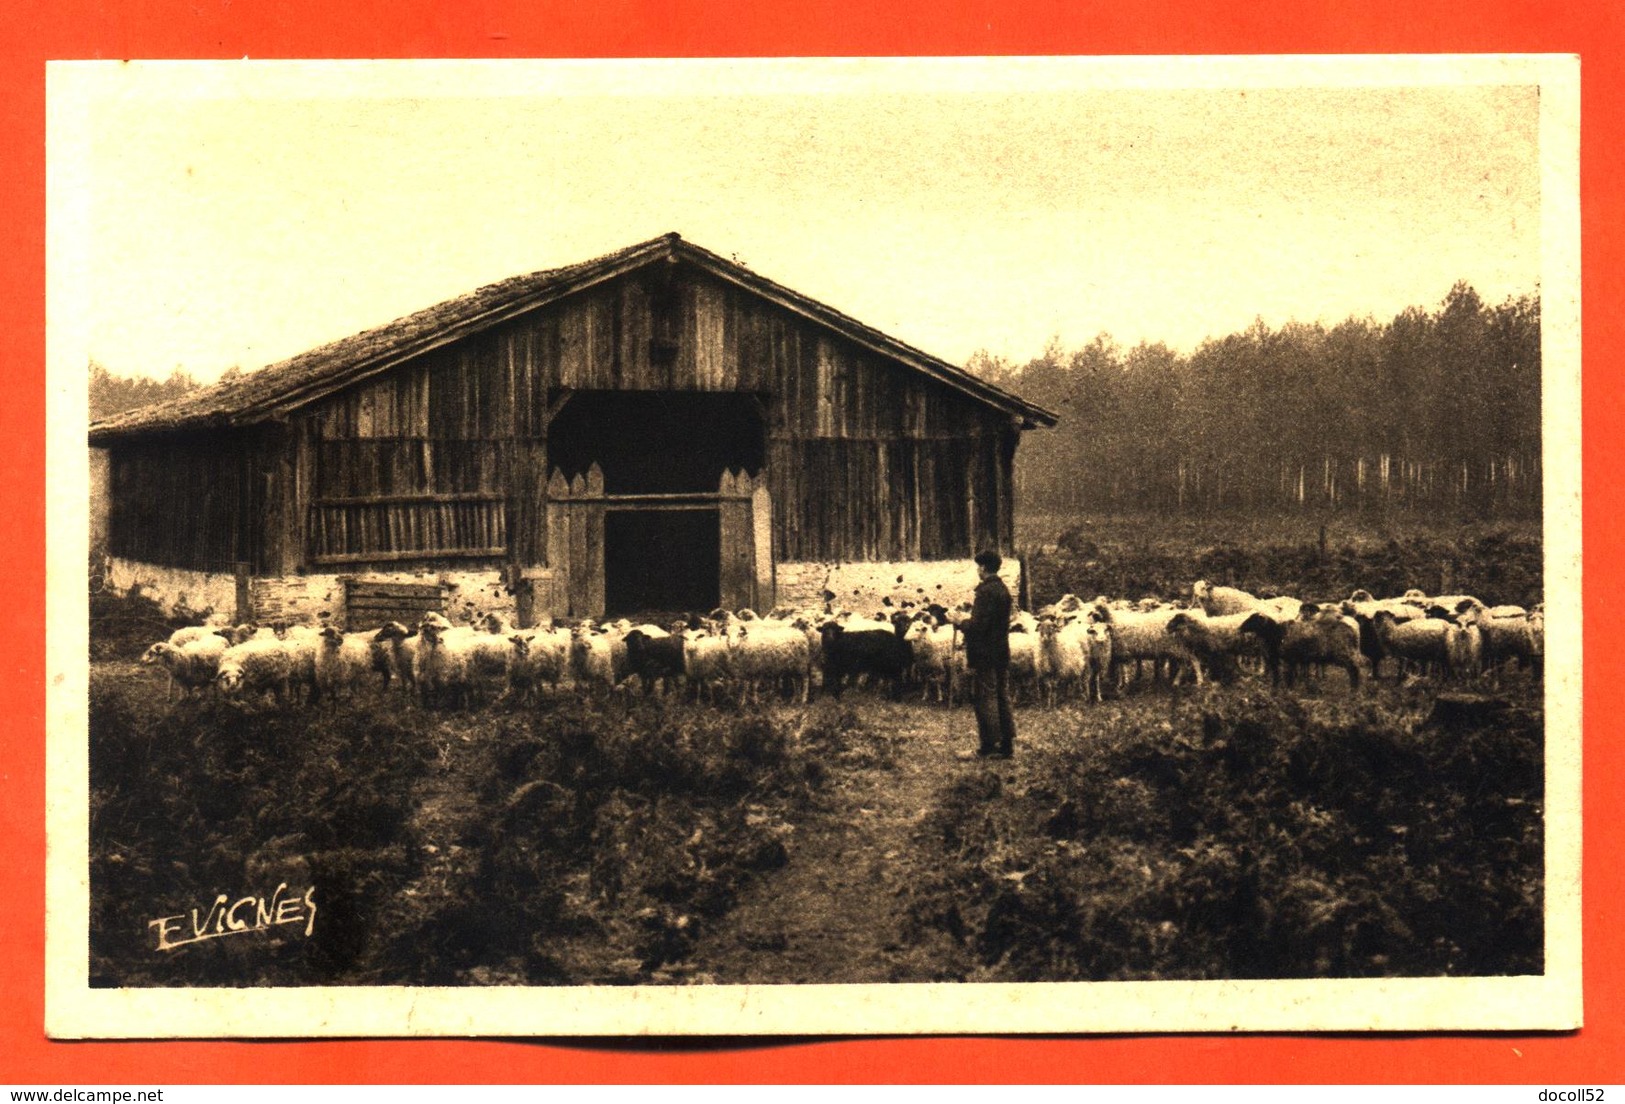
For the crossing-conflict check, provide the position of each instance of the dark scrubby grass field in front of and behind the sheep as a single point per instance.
(1169, 833)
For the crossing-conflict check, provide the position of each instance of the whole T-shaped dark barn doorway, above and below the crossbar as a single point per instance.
(662, 456)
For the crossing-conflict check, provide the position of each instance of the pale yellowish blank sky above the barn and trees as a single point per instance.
(238, 214)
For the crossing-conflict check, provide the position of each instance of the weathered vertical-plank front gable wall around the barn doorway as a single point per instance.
(865, 459)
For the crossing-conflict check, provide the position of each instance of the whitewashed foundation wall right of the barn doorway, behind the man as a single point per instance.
(864, 588)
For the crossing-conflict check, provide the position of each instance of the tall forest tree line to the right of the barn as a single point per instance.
(1431, 412)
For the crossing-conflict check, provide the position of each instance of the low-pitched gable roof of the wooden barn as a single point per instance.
(275, 391)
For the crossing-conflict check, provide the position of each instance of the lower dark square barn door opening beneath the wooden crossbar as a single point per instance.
(662, 563)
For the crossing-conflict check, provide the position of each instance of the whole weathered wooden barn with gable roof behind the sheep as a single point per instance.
(654, 430)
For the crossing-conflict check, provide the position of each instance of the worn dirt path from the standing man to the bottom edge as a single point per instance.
(833, 915)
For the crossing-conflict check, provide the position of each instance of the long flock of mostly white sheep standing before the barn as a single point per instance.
(1068, 650)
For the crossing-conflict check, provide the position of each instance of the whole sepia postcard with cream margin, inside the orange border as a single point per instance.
(813, 547)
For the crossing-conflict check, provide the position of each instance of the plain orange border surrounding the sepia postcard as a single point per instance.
(488, 28)
